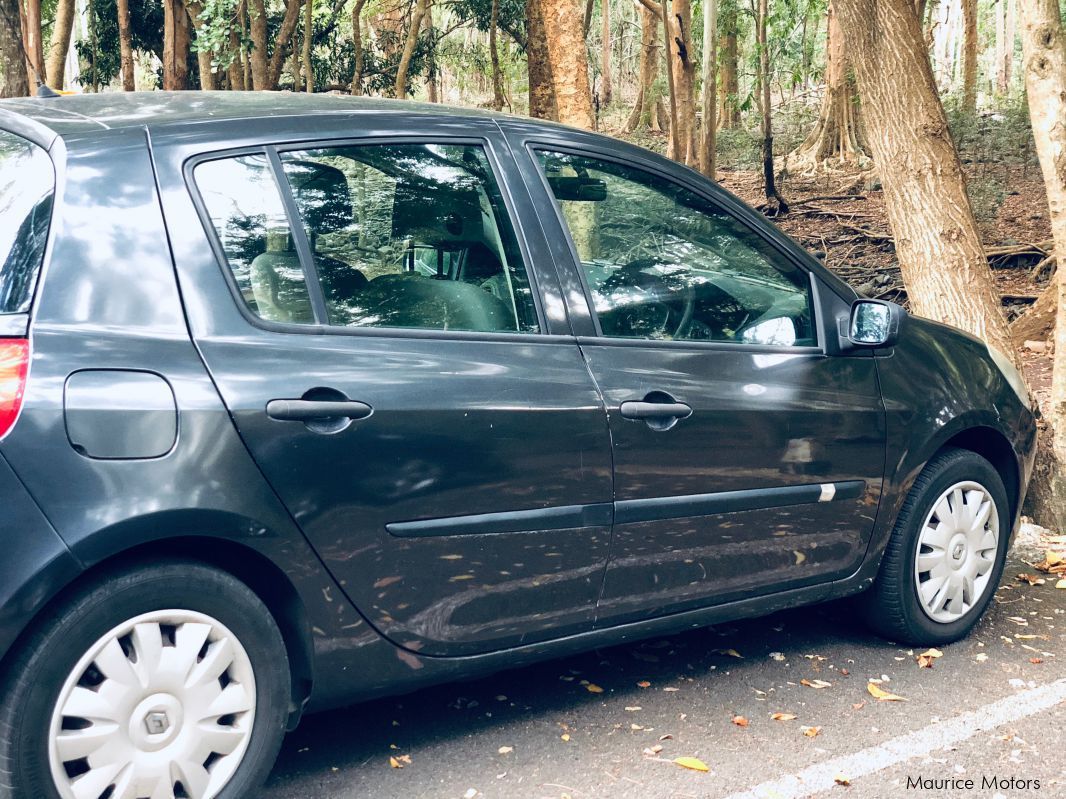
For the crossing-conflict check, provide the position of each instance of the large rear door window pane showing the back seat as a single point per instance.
(411, 236)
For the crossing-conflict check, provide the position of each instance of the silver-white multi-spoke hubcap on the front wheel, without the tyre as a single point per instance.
(957, 552)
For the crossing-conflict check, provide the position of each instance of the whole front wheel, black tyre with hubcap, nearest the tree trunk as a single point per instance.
(896, 607)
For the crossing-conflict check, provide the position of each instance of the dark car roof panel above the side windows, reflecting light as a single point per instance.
(74, 115)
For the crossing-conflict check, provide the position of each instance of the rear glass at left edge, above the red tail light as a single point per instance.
(27, 188)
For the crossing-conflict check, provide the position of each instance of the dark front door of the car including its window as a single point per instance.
(747, 459)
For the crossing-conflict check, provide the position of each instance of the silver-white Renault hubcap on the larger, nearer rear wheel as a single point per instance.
(161, 707)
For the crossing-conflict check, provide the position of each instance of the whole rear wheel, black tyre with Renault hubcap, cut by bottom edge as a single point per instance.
(139, 651)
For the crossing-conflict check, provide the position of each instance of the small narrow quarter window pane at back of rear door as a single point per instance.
(247, 210)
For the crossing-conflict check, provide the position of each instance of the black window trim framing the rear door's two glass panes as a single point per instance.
(273, 155)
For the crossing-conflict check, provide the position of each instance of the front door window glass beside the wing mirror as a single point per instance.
(664, 264)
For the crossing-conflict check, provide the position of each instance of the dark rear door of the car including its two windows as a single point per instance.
(385, 354)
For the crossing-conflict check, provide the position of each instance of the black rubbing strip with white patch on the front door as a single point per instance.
(628, 512)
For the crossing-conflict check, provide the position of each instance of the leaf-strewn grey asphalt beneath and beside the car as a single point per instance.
(993, 708)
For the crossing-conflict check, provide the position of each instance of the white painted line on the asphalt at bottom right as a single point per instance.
(820, 777)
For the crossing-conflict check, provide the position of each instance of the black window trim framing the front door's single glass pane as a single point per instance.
(536, 145)
